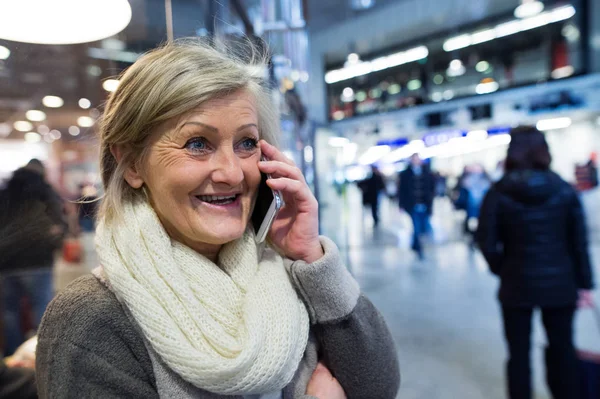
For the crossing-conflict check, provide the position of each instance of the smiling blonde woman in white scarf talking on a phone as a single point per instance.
(185, 304)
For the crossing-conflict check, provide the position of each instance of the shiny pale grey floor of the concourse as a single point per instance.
(442, 311)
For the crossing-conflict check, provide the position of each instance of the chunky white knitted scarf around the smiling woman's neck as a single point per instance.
(233, 329)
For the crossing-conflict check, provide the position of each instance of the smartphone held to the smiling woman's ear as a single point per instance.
(267, 206)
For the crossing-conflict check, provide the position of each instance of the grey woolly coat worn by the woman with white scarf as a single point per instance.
(90, 347)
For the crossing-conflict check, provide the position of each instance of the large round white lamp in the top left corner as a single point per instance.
(62, 21)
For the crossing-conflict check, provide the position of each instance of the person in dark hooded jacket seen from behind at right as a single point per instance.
(532, 233)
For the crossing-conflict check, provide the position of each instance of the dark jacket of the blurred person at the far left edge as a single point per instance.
(29, 207)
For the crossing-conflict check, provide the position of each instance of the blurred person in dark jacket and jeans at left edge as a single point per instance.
(33, 228)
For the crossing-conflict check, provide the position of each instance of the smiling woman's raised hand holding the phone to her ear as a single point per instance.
(296, 229)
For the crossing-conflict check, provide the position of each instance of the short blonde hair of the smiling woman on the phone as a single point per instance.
(165, 83)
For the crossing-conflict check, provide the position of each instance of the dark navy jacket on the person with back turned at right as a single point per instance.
(532, 233)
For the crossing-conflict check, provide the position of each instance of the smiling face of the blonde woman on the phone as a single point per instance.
(202, 172)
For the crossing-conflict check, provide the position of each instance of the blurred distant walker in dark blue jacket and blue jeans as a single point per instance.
(416, 191)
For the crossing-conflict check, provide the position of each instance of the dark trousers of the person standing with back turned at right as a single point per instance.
(562, 374)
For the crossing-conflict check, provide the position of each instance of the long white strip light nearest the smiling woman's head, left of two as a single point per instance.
(378, 64)
